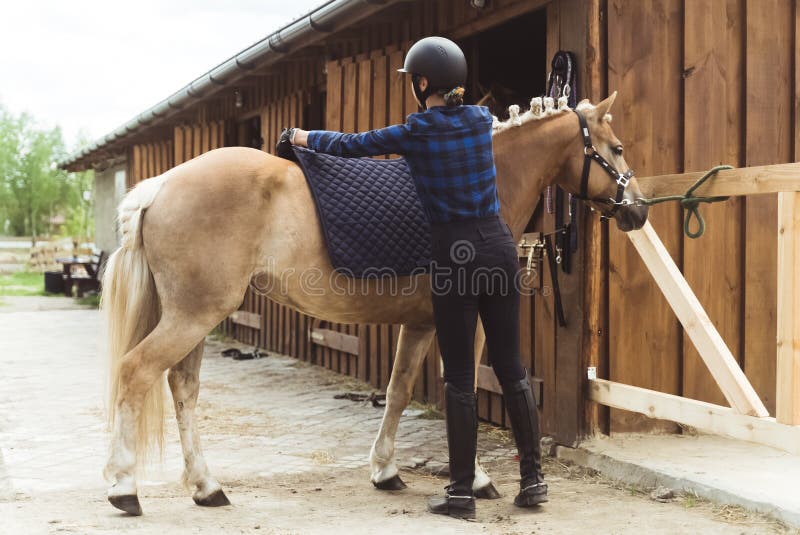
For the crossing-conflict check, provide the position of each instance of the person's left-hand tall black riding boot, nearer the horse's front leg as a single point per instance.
(462, 437)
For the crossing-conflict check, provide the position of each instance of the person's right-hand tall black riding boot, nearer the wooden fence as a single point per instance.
(521, 407)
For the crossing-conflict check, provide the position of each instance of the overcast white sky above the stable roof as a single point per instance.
(94, 64)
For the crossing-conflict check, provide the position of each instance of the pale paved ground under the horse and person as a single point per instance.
(290, 456)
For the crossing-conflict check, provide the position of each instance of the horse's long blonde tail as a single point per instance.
(131, 310)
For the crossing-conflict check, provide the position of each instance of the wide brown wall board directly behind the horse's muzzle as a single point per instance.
(645, 66)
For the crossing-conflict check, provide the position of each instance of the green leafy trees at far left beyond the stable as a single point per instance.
(34, 193)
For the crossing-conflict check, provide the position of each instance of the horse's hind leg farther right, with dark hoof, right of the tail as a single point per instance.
(184, 381)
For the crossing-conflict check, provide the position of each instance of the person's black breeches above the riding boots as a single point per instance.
(475, 271)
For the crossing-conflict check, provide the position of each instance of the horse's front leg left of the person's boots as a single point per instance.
(412, 345)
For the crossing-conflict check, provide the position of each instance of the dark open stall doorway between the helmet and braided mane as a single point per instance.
(509, 60)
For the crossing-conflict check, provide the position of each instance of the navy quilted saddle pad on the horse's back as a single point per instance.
(371, 214)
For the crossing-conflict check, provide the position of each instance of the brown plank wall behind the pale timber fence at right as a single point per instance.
(701, 84)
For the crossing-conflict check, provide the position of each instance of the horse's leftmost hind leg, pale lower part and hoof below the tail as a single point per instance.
(171, 340)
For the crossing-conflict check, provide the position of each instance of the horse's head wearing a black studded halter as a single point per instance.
(596, 171)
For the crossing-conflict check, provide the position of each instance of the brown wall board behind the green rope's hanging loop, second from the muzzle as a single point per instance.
(713, 136)
